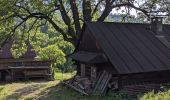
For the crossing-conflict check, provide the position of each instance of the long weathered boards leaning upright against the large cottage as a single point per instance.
(102, 83)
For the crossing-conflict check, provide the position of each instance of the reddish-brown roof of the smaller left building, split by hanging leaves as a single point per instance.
(6, 53)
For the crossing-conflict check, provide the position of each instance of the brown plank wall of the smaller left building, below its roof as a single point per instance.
(18, 69)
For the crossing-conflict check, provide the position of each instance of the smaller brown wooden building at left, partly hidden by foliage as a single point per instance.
(24, 67)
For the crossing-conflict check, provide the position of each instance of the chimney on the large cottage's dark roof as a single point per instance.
(156, 25)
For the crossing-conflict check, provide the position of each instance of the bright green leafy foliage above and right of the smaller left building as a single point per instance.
(47, 46)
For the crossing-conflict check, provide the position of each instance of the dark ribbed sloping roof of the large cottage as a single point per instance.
(132, 48)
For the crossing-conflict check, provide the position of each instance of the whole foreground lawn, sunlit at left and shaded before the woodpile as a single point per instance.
(44, 91)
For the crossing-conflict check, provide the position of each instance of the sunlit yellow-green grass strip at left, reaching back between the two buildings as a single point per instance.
(30, 89)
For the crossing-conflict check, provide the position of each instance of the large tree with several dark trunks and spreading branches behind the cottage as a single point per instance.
(67, 16)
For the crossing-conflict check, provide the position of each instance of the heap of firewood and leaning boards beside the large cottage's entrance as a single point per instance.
(86, 86)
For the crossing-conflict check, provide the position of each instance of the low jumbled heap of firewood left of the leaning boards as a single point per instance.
(81, 83)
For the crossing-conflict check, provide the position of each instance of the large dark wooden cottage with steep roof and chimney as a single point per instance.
(131, 57)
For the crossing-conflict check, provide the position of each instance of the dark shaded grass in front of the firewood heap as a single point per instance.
(62, 92)
